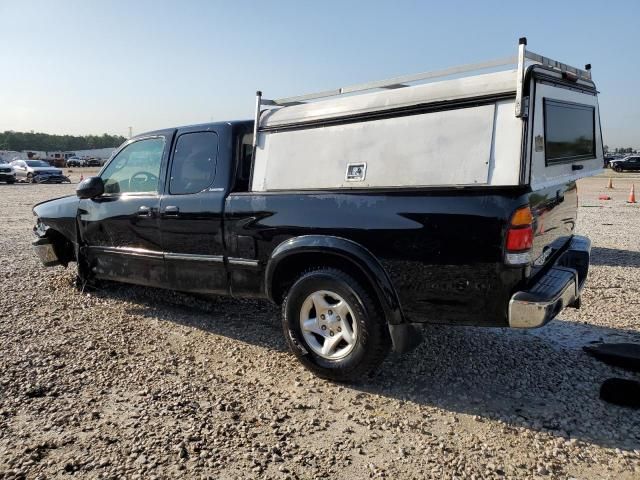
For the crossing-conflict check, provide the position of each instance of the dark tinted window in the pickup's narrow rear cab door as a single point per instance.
(194, 163)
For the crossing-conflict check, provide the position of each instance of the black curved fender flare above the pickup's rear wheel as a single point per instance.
(349, 250)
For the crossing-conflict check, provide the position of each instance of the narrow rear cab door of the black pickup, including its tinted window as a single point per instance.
(191, 212)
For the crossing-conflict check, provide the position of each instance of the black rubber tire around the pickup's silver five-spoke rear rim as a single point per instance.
(372, 342)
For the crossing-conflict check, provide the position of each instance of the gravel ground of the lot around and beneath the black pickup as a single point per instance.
(141, 383)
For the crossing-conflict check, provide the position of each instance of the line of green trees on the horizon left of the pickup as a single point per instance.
(19, 141)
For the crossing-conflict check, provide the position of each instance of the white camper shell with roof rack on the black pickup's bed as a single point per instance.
(537, 124)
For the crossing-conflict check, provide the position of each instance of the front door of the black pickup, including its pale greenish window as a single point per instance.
(120, 229)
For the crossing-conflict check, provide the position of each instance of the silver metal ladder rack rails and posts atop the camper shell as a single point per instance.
(523, 59)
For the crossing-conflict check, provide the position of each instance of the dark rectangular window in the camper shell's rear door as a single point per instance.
(569, 131)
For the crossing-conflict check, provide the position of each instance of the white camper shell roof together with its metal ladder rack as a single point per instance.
(463, 82)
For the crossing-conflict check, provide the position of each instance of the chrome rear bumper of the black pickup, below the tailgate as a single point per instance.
(559, 288)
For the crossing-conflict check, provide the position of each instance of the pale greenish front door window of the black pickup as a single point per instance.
(136, 168)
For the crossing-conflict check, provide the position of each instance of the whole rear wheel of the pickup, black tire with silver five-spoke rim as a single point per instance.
(334, 326)
